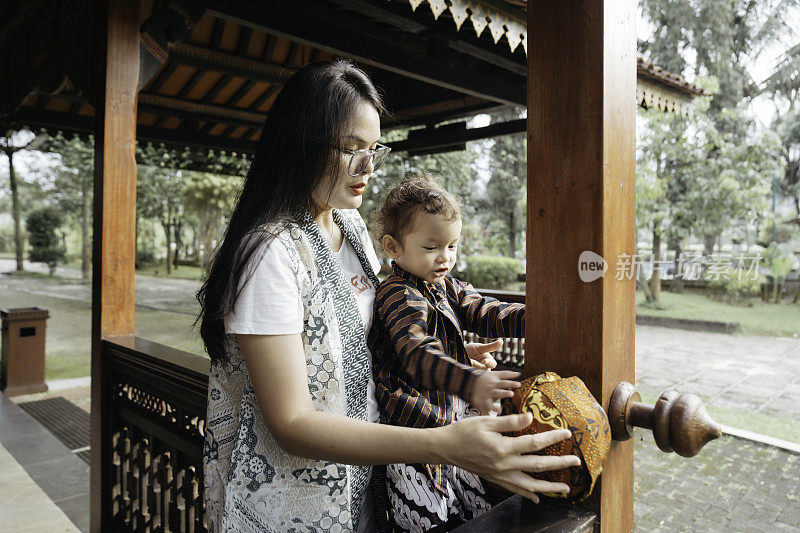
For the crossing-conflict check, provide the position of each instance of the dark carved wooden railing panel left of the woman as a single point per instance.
(154, 402)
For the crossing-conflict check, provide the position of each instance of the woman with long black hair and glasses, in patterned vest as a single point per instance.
(290, 429)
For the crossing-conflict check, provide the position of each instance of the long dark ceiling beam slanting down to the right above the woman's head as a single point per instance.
(320, 26)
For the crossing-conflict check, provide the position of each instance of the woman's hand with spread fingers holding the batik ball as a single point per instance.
(476, 444)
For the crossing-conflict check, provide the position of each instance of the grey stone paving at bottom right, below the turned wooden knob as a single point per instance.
(732, 485)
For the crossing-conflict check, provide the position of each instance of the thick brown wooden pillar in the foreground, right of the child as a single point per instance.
(582, 197)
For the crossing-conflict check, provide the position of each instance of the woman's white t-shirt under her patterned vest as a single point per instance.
(269, 302)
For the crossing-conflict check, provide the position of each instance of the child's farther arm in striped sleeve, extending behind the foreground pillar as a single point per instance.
(486, 316)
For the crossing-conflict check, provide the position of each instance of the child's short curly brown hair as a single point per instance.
(411, 196)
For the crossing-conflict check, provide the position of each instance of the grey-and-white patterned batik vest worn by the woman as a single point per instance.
(251, 483)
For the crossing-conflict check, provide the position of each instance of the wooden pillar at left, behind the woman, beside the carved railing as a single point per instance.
(116, 73)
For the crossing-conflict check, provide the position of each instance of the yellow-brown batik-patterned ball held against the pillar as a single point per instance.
(558, 403)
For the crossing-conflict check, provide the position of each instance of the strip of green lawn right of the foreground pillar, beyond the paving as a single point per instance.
(779, 320)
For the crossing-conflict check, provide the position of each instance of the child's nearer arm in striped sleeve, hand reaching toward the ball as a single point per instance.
(420, 356)
